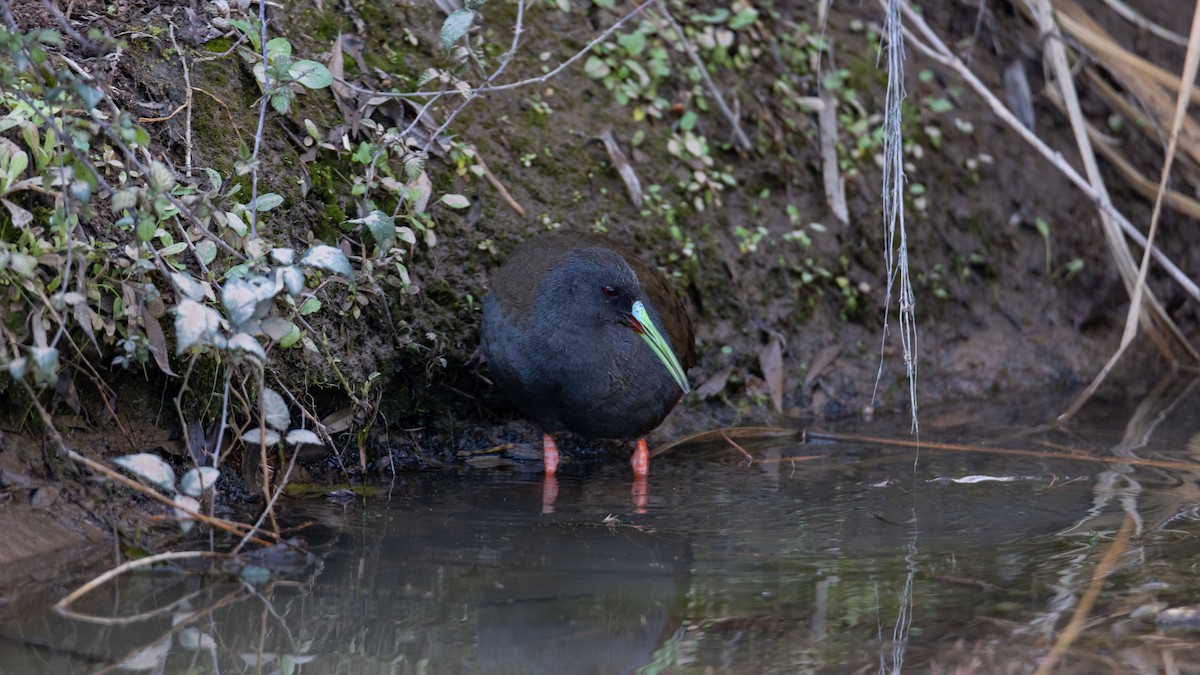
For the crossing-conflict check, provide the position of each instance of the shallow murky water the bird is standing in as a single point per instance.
(831, 557)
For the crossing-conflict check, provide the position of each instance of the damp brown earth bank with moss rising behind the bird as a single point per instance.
(997, 312)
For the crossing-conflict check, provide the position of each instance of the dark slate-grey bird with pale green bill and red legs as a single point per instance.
(586, 338)
